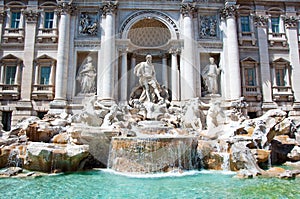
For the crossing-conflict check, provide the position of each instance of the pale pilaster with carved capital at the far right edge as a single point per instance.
(292, 35)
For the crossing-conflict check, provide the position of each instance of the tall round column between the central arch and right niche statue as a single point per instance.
(188, 82)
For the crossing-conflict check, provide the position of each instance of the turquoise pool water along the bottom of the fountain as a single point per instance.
(104, 184)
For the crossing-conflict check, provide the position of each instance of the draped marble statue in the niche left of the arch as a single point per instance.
(87, 76)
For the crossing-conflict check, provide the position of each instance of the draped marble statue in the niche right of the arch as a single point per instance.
(210, 75)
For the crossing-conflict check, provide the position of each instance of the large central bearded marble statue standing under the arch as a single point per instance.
(146, 73)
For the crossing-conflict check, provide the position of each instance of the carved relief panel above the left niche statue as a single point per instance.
(88, 24)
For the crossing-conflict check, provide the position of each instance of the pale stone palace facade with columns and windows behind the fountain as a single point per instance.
(54, 54)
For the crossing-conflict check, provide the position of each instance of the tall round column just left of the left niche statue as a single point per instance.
(65, 9)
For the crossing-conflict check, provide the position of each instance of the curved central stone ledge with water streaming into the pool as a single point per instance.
(152, 154)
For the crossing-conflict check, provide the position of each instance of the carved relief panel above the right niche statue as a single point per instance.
(208, 26)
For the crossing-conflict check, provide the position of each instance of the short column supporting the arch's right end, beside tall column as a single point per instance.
(174, 75)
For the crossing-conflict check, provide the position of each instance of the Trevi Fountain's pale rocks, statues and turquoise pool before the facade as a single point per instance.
(150, 147)
